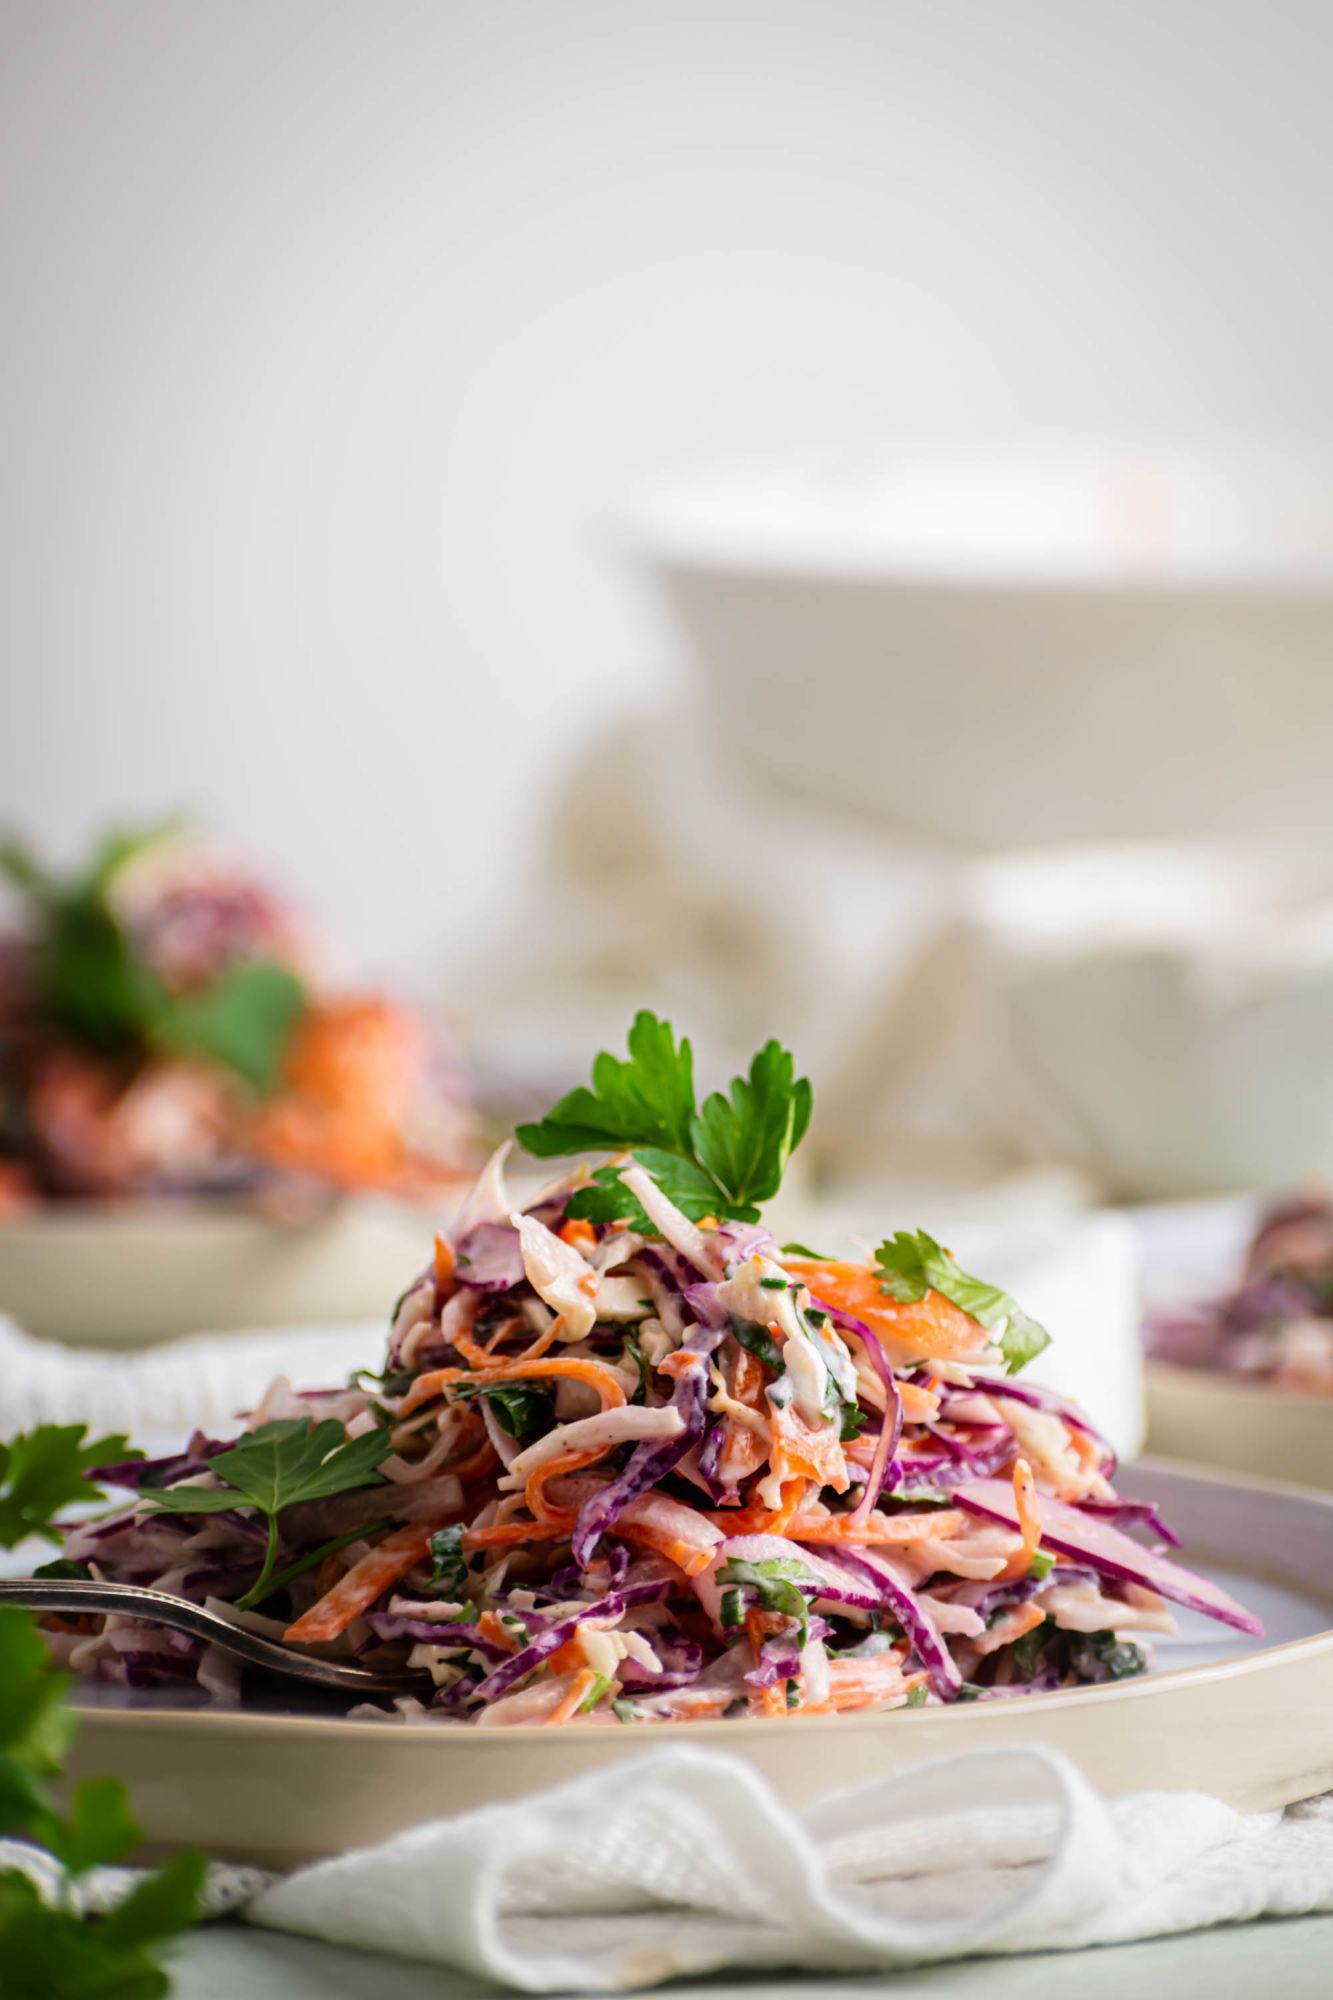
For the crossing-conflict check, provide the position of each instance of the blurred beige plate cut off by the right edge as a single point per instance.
(1248, 1427)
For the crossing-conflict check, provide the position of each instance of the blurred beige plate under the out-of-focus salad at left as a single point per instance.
(107, 1277)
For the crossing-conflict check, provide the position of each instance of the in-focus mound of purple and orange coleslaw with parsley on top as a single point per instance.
(631, 1461)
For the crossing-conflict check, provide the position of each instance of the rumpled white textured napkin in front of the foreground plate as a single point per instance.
(684, 1863)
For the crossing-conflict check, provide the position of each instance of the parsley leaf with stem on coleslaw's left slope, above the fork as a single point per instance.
(275, 1467)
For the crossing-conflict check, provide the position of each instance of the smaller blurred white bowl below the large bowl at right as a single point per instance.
(1158, 1015)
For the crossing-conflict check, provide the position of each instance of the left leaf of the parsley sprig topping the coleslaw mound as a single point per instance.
(647, 1101)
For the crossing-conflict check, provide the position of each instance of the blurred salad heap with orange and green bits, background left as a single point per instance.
(165, 1033)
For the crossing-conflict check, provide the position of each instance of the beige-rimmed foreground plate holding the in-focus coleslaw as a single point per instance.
(1250, 1721)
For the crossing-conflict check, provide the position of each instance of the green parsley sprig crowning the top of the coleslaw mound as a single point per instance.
(718, 1161)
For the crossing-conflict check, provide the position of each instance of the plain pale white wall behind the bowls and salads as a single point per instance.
(333, 333)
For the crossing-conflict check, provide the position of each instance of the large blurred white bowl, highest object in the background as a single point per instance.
(1020, 649)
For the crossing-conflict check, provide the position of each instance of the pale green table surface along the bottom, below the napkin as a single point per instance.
(1274, 1961)
